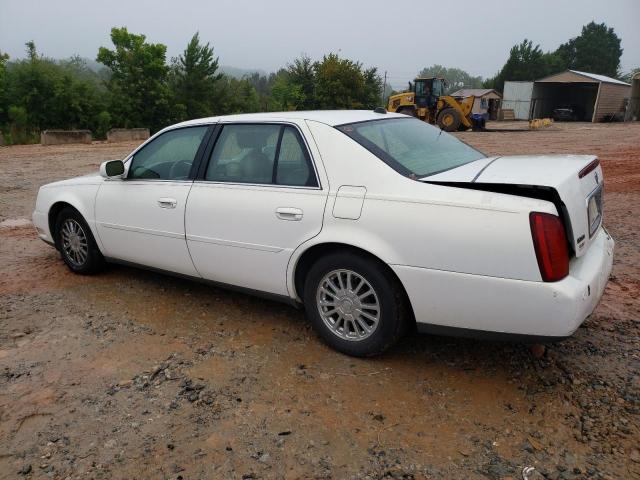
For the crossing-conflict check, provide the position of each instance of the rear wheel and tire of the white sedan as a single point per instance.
(346, 333)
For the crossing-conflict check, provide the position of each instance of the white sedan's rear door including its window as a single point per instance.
(257, 200)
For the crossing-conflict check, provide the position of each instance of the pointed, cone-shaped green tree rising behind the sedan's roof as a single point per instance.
(195, 79)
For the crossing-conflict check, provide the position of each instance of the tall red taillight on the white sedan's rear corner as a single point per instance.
(550, 243)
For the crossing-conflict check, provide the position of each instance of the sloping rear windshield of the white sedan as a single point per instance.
(410, 146)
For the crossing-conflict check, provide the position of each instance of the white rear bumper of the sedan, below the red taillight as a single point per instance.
(448, 301)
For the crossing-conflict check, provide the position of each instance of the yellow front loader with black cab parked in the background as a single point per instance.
(426, 100)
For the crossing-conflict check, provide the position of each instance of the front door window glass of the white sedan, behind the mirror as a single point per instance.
(169, 156)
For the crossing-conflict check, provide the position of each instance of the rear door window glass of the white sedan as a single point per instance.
(268, 154)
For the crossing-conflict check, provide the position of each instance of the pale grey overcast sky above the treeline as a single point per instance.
(399, 37)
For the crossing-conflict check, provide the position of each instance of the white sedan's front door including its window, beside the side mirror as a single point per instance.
(140, 219)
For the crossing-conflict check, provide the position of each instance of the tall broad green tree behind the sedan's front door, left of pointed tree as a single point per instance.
(138, 87)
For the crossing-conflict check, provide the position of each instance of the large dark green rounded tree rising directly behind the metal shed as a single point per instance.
(596, 50)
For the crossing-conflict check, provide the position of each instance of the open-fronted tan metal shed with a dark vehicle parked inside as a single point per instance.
(601, 98)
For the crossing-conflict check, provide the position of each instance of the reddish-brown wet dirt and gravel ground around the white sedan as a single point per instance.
(131, 374)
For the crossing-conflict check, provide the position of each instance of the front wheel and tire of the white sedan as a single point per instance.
(76, 244)
